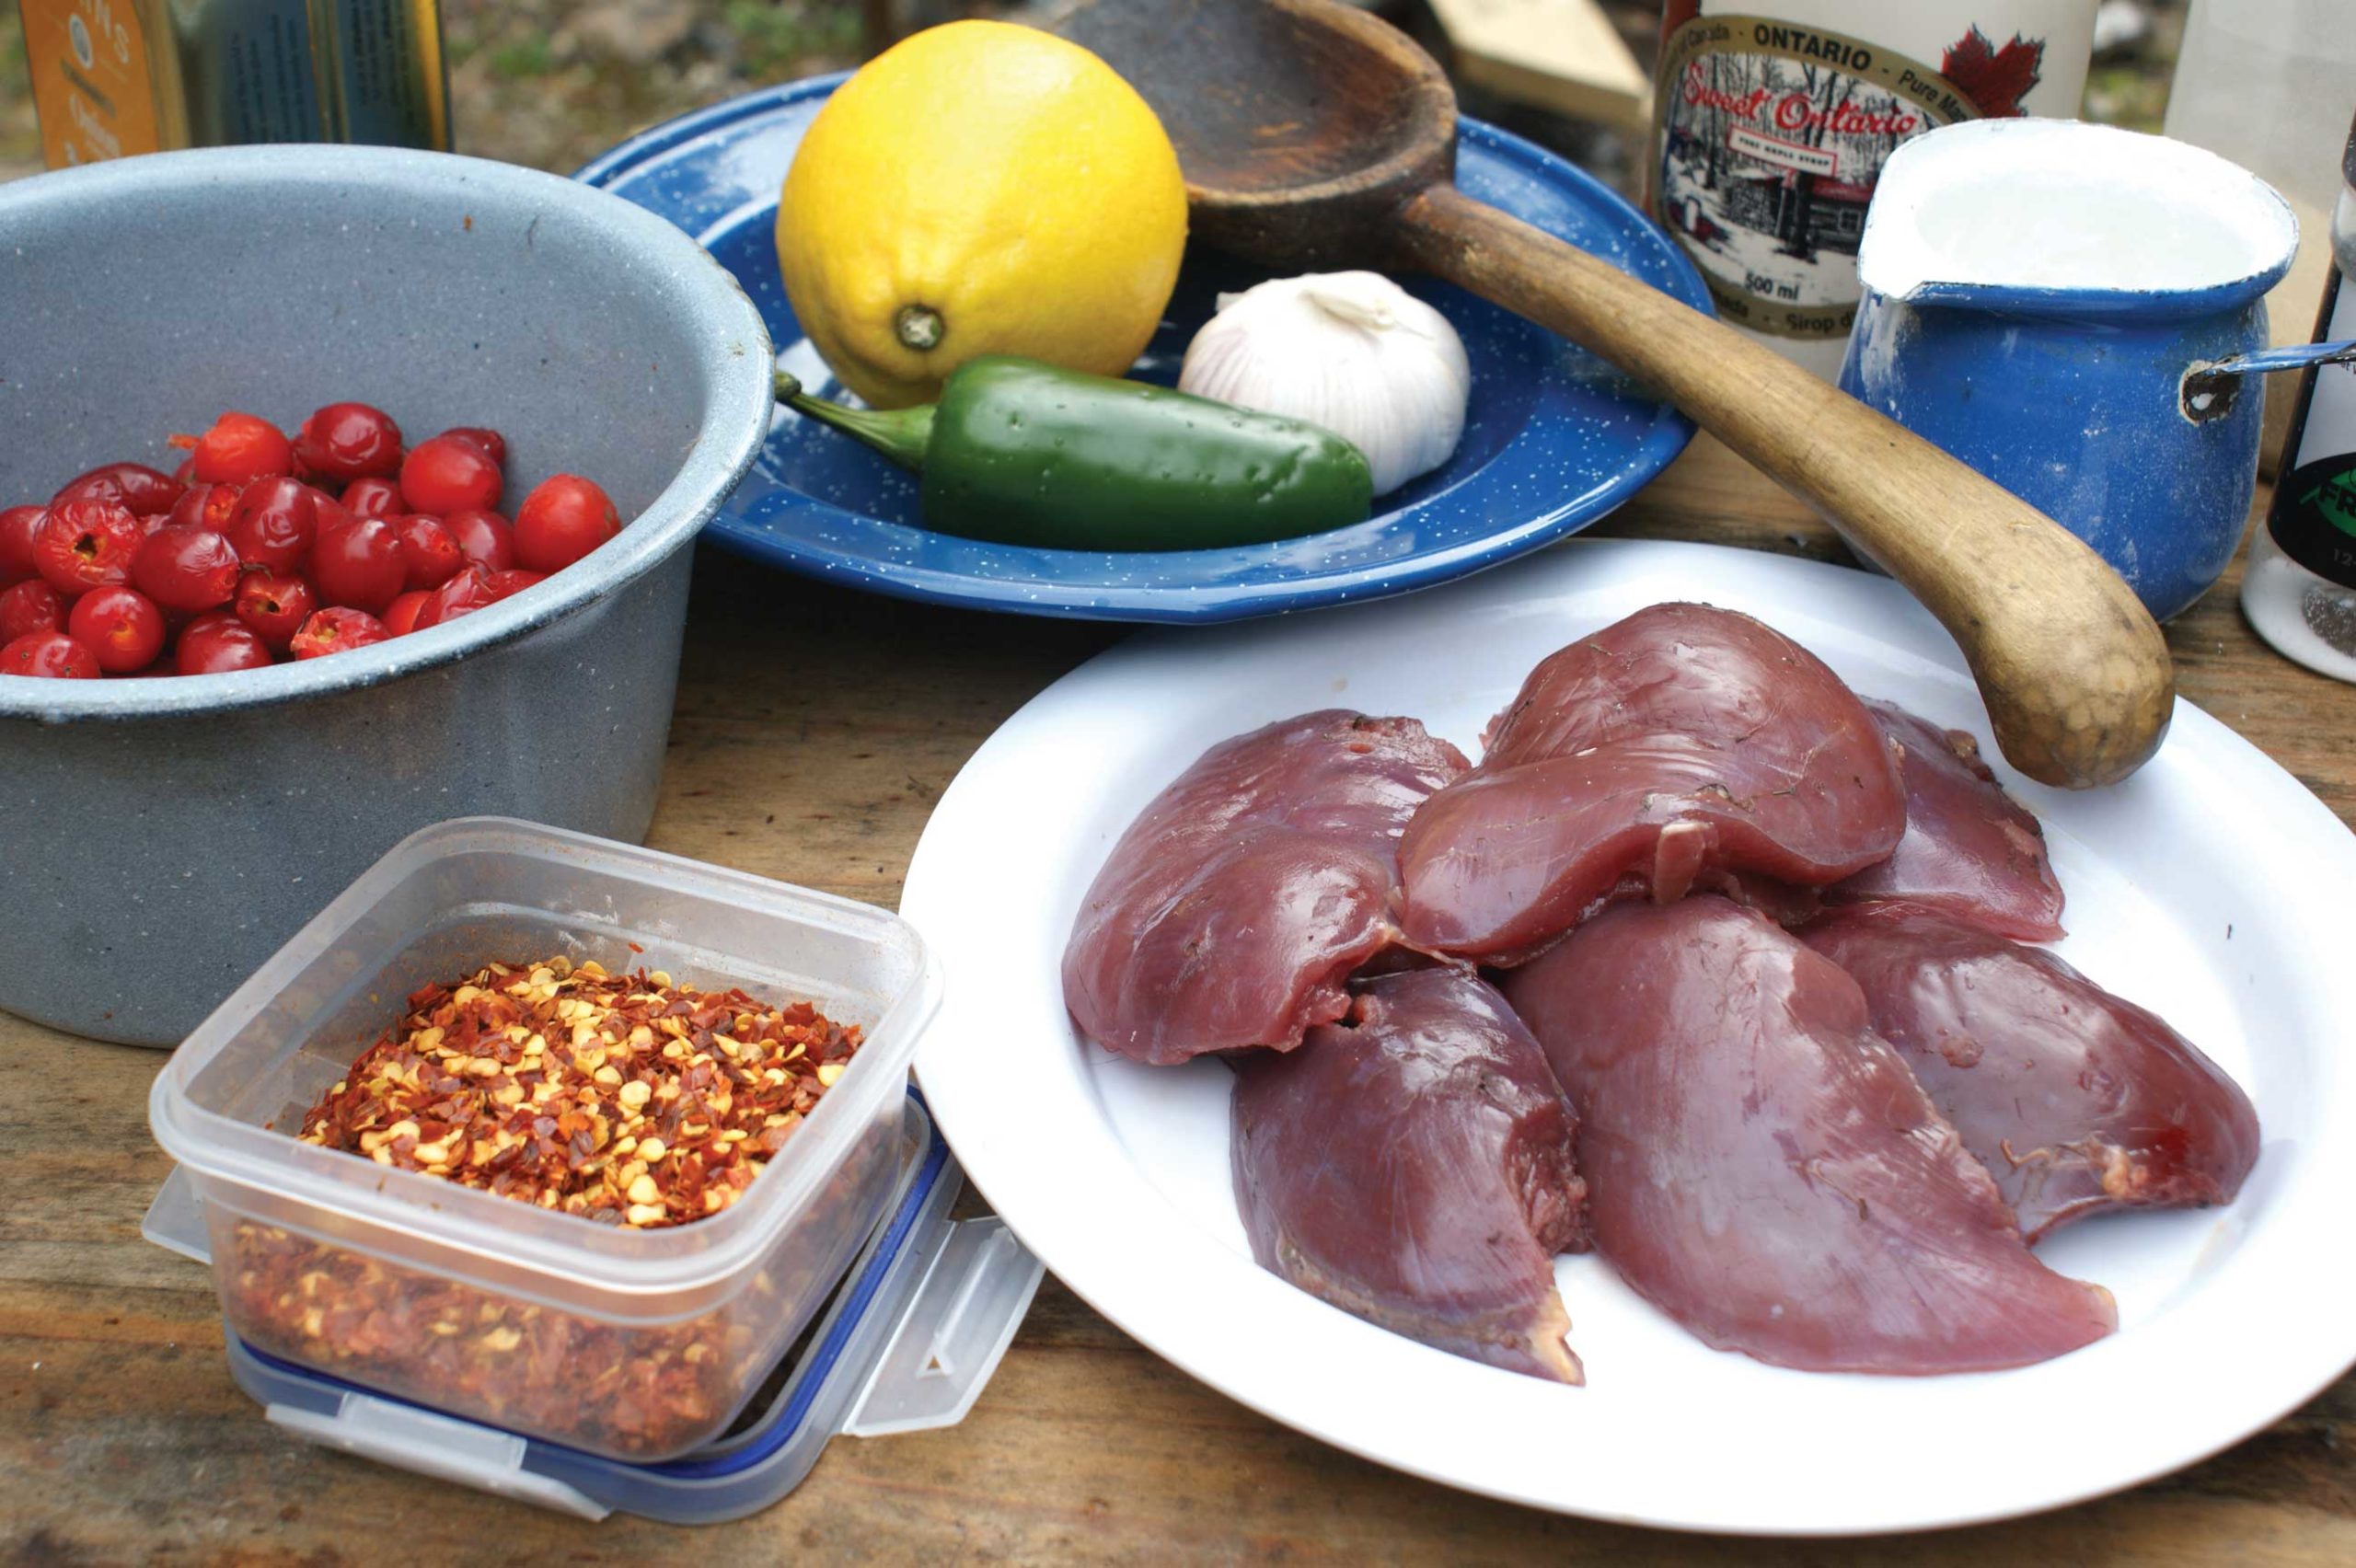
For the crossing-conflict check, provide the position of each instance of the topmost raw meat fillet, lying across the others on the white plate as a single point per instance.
(1665, 755)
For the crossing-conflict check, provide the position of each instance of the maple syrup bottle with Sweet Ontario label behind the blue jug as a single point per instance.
(1773, 121)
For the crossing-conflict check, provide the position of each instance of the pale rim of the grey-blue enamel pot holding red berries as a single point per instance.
(736, 373)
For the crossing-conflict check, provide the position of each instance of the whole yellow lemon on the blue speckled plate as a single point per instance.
(981, 190)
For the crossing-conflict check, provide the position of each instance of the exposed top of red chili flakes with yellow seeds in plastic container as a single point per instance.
(545, 1084)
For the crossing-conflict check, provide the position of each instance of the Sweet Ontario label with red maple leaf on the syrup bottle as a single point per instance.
(1771, 138)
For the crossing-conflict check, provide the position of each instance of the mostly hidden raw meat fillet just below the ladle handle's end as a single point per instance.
(1968, 846)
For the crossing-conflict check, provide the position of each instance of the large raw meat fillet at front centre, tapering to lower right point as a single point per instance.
(1766, 1171)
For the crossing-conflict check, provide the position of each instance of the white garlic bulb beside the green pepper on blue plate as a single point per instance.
(1346, 352)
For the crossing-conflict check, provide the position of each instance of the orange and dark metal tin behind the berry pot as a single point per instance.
(140, 77)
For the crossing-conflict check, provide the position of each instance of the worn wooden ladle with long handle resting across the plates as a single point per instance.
(1318, 138)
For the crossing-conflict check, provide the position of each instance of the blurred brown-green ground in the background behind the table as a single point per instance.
(555, 81)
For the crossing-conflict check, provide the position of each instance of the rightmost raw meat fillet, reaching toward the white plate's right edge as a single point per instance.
(2070, 1096)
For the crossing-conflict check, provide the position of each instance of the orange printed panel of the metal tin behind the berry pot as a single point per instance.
(91, 79)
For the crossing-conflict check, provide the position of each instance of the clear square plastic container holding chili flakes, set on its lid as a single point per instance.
(635, 1346)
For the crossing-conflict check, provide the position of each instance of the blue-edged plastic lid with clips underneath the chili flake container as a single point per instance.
(908, 1343)
